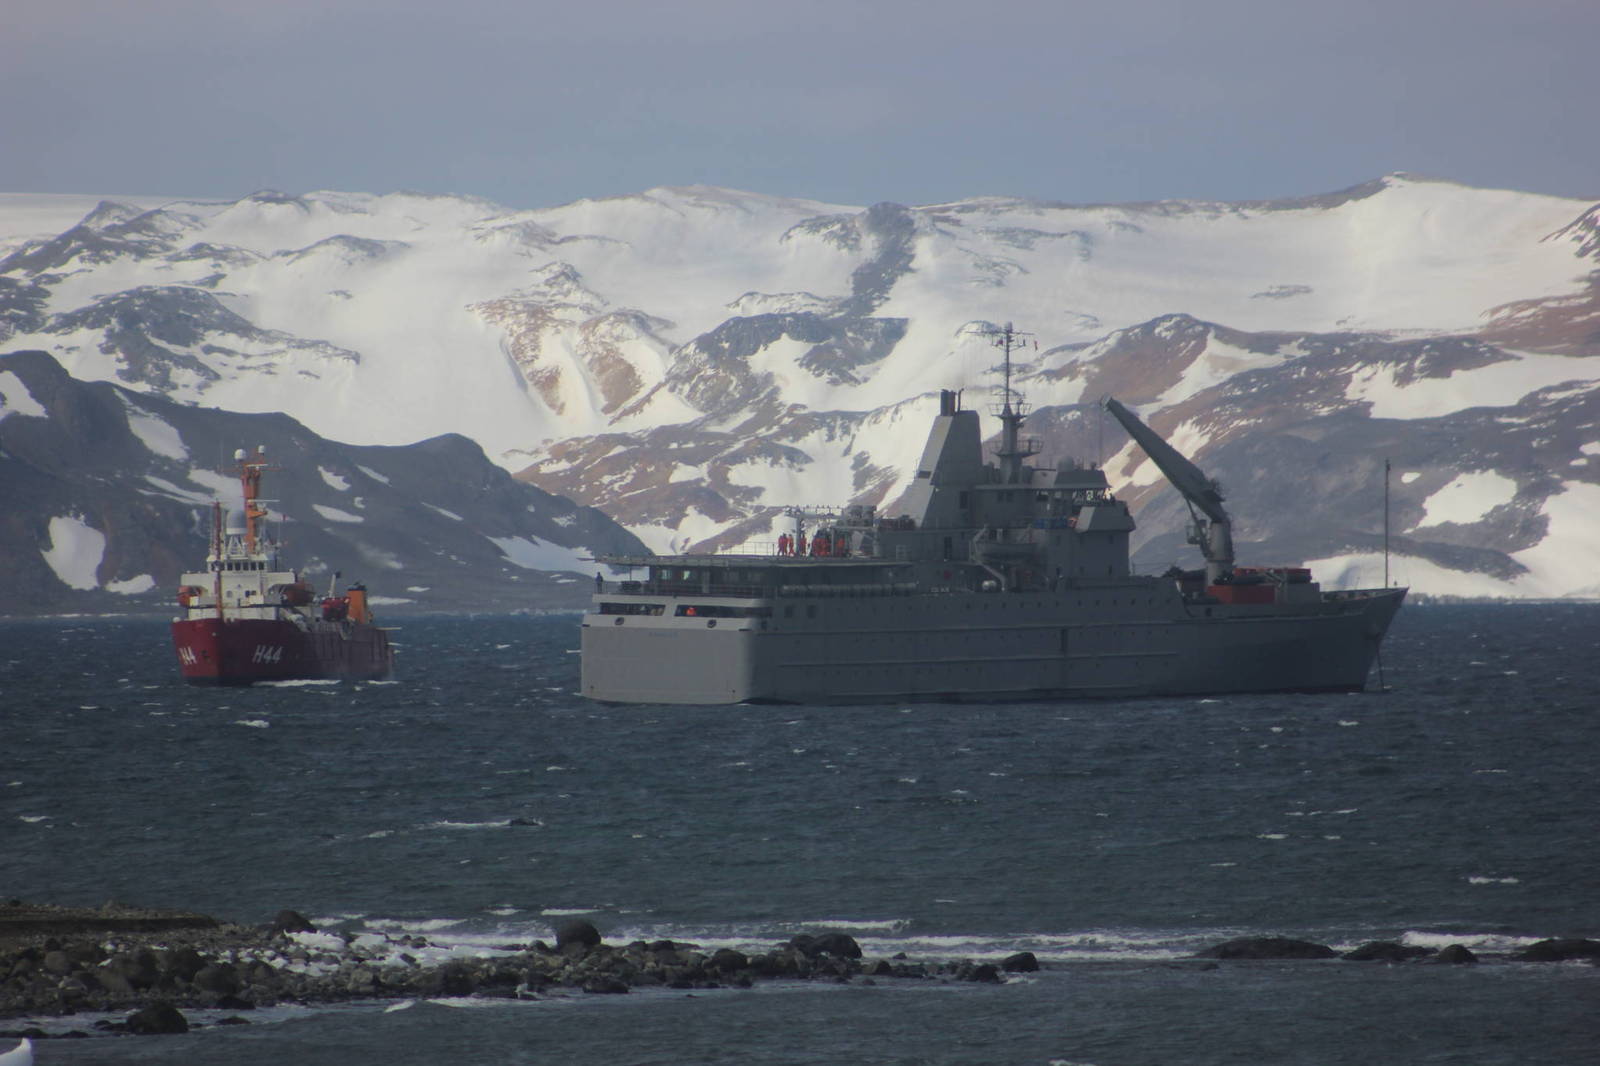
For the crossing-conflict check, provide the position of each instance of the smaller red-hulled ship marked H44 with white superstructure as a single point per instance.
(246, 620)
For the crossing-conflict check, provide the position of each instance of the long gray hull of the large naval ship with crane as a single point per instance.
(1103, 643)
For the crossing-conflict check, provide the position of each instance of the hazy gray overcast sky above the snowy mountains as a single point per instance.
(926, 102)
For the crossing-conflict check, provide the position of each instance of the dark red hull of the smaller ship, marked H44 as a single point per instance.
(239, 652)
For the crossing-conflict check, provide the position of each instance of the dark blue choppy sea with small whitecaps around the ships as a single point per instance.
(479, 801)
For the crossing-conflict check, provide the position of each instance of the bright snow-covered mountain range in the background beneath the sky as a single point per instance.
(692, 361)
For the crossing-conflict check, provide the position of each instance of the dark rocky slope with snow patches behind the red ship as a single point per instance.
(110, 500)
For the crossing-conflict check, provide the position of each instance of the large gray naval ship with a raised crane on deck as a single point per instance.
(996, 582)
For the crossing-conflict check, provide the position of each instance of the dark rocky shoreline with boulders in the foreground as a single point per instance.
(158, 964)
